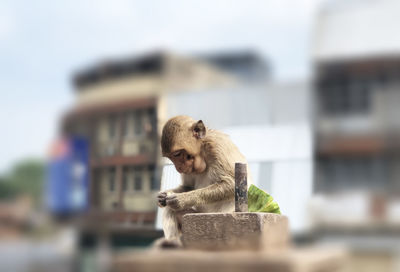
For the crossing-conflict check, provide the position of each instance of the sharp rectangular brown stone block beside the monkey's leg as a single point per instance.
(235, 231)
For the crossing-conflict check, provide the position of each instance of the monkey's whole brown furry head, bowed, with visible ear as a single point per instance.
(181, 142)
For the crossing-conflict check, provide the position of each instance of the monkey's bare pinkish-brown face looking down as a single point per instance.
(186, 163)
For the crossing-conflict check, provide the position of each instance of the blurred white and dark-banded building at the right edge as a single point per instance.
(356, 129)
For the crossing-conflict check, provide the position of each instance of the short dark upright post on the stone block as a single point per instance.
(241, 187)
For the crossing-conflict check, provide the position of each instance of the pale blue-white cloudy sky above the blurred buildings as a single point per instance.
(43, 42)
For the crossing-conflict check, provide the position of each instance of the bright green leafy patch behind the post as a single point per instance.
(260, 201)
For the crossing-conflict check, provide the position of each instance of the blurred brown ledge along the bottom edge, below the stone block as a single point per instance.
(300, 260)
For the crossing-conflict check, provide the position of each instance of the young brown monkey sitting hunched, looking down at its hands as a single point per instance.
(205, 158)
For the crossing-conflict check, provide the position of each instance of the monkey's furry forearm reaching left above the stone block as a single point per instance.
(215, 192)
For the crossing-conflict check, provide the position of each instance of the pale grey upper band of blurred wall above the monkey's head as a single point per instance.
(266, 104)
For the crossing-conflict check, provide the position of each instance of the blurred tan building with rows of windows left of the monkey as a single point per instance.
(119, 108)
